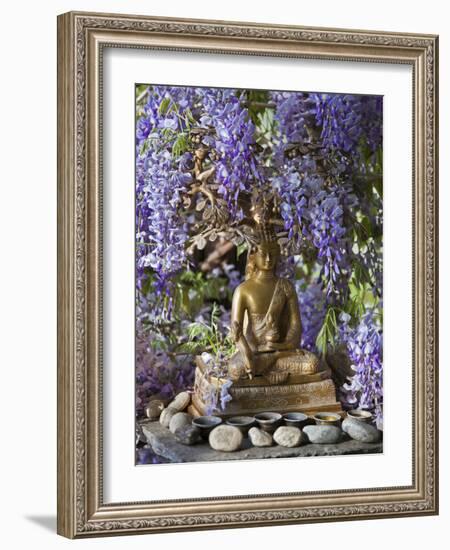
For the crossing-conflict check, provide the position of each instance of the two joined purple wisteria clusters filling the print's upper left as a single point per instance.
(162, 178)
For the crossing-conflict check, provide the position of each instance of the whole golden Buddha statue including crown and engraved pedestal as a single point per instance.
(269, 372)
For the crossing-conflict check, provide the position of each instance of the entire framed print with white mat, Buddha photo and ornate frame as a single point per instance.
(247, 276)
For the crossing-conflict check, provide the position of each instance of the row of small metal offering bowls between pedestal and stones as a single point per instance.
(270, 421)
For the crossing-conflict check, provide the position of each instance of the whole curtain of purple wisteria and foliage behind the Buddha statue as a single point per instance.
(320, 155)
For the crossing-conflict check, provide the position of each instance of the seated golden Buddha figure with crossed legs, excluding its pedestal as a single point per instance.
(266, 324)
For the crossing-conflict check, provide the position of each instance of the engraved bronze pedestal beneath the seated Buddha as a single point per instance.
(307, 393)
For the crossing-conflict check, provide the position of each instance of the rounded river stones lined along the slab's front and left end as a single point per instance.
(229, 438)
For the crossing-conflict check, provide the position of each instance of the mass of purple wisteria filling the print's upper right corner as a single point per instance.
(319, 192)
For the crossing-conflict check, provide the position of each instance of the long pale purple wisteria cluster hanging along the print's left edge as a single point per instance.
(161, 232)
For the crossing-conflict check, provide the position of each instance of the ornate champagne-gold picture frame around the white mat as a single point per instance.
(82, 38)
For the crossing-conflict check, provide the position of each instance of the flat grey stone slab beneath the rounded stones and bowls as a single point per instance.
(164, 444)
